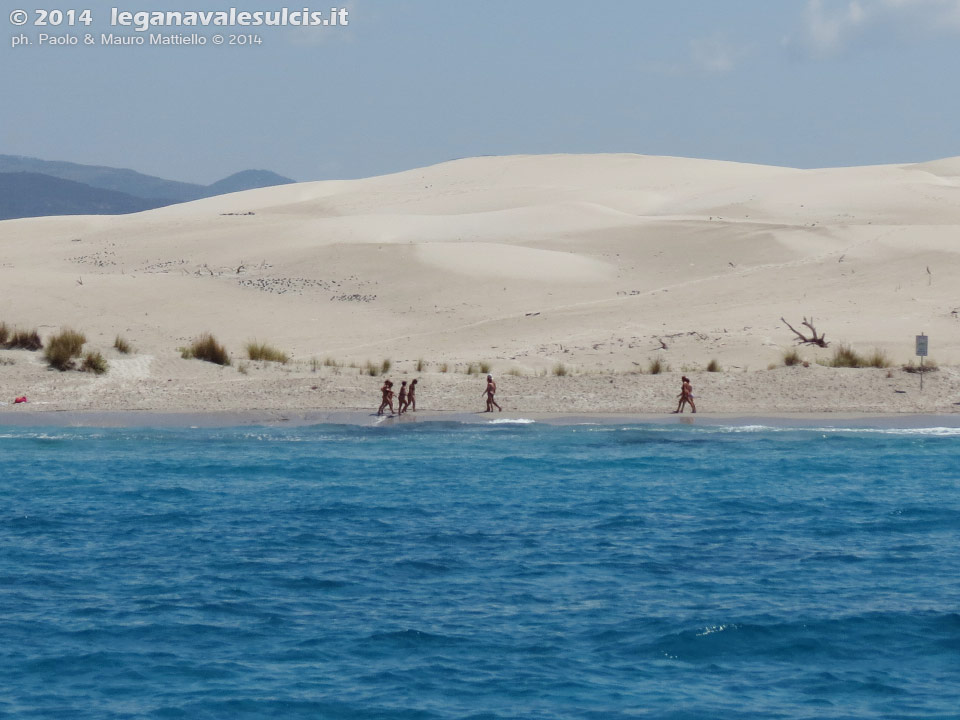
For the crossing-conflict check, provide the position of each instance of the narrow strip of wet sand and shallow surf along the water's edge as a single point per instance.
(365, 418)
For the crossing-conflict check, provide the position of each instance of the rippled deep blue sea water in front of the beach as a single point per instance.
(438, 570)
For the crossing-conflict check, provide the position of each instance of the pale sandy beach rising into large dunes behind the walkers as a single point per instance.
(565, 275)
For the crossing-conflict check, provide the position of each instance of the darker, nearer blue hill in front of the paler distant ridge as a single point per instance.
(25, 194)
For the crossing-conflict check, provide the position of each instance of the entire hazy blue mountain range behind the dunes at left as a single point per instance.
(103, 190)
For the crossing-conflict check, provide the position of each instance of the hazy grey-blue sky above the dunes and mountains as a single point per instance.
(805, 83)
